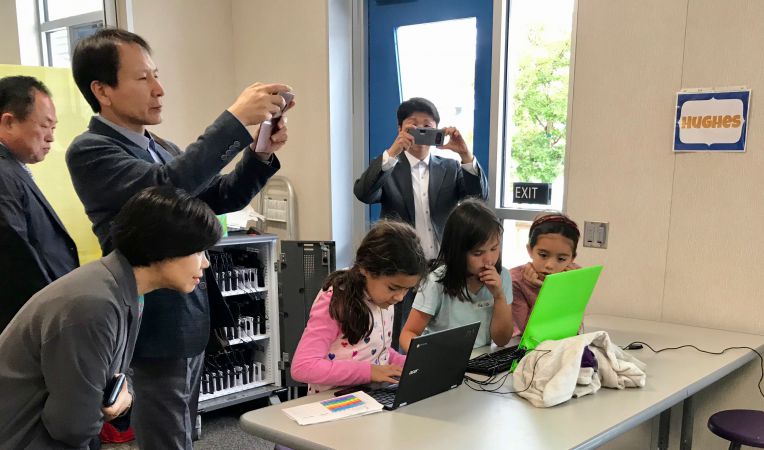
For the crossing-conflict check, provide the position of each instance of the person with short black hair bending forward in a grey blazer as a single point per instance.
(70, 339)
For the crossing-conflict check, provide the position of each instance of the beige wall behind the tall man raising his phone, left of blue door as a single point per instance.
(208, 51)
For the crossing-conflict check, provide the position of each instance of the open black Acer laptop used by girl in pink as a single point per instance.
(436, 363)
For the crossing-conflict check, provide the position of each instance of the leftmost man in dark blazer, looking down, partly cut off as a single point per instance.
(35, 248)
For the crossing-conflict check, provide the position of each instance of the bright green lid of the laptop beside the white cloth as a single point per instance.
(560, 306)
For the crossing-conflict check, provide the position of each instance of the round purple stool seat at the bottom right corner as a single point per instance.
(739, 426)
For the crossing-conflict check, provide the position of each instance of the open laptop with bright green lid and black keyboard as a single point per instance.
(557, 314)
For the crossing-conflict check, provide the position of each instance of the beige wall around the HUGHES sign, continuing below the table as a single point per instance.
(685, 241)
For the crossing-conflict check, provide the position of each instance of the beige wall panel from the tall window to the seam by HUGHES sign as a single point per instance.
(620, 164)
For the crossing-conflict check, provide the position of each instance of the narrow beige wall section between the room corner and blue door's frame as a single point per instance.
(287, 41)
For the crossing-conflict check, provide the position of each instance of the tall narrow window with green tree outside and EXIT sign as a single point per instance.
(531, 164)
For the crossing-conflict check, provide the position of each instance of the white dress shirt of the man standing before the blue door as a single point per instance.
(420, 183)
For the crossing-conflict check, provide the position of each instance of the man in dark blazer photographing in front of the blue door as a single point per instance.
(419, 188)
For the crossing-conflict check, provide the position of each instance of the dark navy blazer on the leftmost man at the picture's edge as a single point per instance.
(35, 248)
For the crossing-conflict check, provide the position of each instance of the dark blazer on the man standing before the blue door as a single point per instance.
(449, 184)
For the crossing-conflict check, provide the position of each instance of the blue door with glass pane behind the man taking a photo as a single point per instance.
(436, 49)
